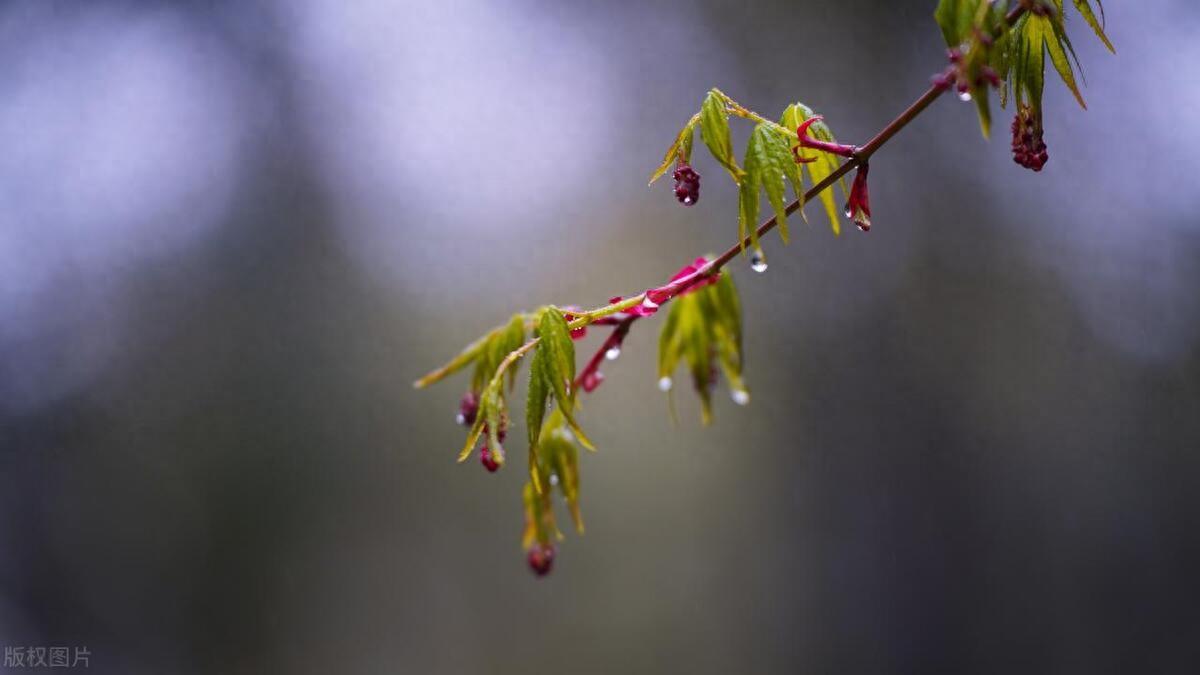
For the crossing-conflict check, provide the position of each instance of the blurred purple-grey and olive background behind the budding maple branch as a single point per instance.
(233, 234)
